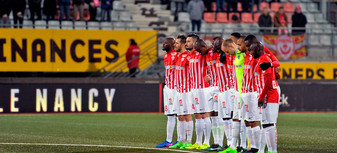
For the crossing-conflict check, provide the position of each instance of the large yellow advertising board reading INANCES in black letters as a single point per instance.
(47, 50)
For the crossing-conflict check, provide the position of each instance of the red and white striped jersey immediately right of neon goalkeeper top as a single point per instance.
(248, 71)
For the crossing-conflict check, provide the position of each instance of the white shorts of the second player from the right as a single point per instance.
(251, 111)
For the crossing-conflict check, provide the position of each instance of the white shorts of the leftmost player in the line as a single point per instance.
(169, 97)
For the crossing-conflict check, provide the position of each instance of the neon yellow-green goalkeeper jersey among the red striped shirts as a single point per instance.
(238, 63)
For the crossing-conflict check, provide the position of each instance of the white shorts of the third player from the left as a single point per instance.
(201, 100)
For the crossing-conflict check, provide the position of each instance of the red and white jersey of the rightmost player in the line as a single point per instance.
(260, 77)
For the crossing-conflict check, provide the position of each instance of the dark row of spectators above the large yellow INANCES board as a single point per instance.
(53, 10)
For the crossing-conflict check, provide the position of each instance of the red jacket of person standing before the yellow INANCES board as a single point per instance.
(133, 52)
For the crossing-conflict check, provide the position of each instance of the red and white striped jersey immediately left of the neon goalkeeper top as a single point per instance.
(224, 78)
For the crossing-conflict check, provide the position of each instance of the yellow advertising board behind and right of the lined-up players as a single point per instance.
(310, 70)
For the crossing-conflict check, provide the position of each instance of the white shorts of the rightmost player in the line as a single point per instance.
(270, 113)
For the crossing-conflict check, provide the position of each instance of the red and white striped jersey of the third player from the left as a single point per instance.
(198, 70)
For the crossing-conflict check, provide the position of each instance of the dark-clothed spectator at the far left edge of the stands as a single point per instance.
(5, 9)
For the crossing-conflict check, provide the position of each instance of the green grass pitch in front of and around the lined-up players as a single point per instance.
(303, 132)
